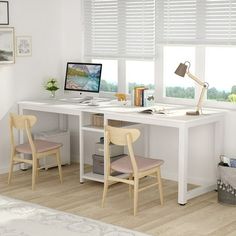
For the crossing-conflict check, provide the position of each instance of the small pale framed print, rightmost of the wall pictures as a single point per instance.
(23, 46)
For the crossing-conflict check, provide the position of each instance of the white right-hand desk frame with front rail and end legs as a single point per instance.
(183, 128)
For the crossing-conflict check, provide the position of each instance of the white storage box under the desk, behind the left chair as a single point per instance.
(59, 136)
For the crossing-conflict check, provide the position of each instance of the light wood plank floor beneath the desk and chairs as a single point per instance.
(201, 216)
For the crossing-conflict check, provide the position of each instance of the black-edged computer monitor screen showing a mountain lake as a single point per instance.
(83, 77)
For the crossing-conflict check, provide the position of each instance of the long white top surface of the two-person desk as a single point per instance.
(165, 113)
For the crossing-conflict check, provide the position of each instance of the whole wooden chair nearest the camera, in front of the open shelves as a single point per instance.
(137, 167)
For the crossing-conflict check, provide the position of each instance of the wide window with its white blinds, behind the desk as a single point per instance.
(127, 34)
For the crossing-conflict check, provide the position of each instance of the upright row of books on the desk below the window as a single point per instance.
(143, 97)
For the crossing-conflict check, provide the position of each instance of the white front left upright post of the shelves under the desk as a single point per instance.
(81, 148)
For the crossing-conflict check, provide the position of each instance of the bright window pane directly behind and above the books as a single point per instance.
(140, 73)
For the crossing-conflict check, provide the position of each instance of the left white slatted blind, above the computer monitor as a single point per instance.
(120, 29)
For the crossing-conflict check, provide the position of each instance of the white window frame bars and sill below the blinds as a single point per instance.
(159, 80)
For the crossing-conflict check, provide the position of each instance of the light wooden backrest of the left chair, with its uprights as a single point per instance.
(24, 123)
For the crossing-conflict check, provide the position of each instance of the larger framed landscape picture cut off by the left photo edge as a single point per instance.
(7, 47)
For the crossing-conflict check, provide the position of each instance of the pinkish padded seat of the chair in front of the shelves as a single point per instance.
(124, 164)
